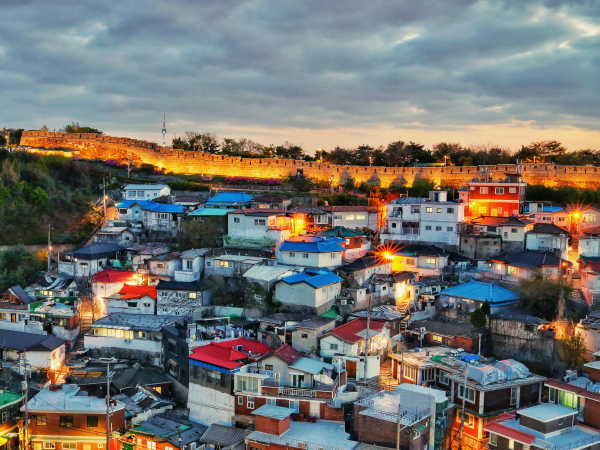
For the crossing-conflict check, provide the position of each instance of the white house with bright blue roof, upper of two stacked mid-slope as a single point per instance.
(311, 251)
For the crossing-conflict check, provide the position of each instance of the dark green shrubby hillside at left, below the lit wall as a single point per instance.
(39, 190)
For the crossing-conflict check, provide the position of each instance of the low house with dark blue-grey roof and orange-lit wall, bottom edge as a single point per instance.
(161, 432)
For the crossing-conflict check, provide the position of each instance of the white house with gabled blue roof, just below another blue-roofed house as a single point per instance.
(312, 290)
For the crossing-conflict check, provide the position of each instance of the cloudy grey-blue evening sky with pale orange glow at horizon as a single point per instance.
(312, 72)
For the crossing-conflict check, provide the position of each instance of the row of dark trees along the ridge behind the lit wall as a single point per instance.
(396, 154)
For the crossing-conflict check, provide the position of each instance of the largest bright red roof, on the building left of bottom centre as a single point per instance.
(224, 353)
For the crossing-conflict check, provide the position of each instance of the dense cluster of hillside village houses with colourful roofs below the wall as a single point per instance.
(279, 323)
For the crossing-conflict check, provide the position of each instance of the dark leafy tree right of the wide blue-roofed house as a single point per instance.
(541, 294)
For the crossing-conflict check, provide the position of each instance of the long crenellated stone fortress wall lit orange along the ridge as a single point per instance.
(93, 146)
